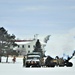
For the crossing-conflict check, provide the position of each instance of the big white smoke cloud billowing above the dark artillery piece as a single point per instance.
(61, 43)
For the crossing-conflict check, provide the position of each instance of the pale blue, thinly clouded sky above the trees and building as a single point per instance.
(28, 17)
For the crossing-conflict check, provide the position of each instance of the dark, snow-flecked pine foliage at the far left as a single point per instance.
(6, 42)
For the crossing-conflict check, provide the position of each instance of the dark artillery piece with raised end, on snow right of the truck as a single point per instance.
(51, 62)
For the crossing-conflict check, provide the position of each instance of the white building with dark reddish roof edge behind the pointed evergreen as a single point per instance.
(26, 46)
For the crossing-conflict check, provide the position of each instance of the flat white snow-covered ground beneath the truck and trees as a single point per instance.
(17, 69)
